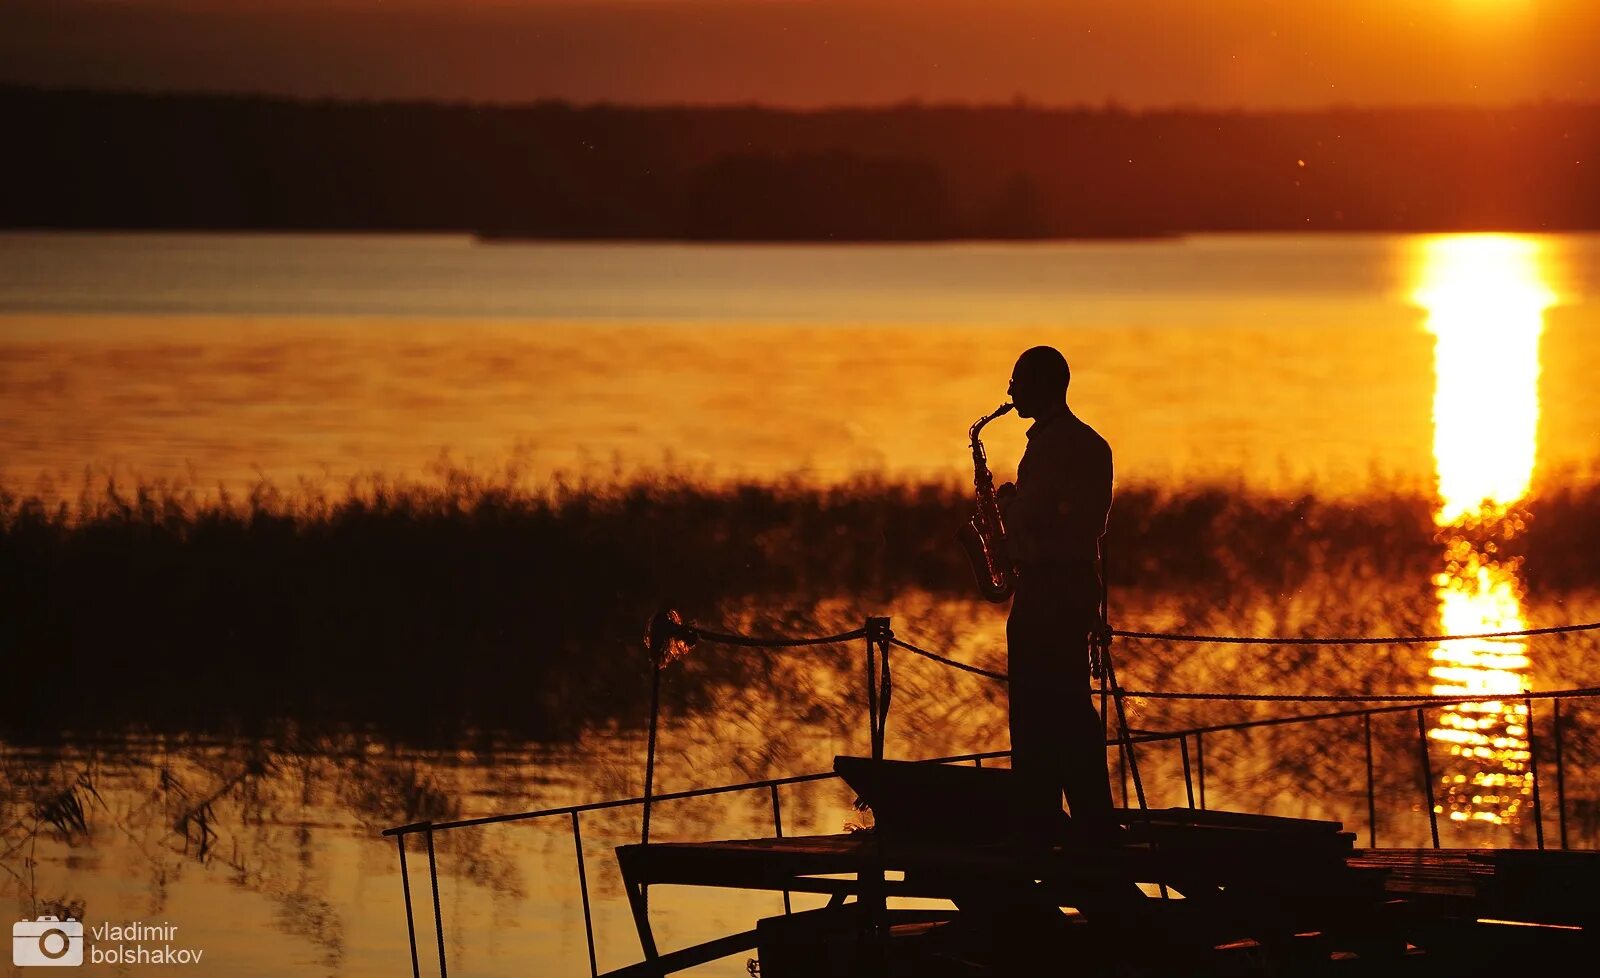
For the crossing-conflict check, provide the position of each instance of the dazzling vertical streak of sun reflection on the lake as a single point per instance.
(1486, 297)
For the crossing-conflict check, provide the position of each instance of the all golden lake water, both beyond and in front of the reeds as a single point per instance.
(1460, 367)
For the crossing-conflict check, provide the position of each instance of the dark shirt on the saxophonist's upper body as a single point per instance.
(1063, 494)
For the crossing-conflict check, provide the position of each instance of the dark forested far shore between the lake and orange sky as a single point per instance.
(130, 161)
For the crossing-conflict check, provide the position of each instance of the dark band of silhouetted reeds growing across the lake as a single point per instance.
(476, 601)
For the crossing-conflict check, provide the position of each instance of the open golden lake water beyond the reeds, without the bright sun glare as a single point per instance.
(1279, 361)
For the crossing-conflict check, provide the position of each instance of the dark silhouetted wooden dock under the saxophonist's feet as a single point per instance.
(1178, 892)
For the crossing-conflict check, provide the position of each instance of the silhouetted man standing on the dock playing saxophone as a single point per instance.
(1055, 519)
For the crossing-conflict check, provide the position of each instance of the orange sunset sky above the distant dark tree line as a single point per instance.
(1247, 54)
